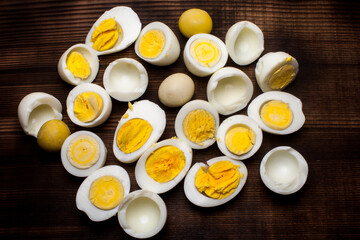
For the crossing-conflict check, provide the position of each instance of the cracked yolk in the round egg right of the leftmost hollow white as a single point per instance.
(87, 106)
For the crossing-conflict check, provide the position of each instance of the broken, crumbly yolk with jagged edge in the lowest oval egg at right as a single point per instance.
(219, 181)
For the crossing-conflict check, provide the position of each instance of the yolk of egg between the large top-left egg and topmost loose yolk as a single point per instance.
(152, 43)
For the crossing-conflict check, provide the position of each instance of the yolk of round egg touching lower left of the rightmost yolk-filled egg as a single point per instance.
(240, 139)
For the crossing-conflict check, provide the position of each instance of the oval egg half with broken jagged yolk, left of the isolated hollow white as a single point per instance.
(216, 182)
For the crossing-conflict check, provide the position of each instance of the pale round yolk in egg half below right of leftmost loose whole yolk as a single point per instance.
(83, 151)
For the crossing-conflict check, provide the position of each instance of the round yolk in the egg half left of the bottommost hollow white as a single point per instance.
(106, 192)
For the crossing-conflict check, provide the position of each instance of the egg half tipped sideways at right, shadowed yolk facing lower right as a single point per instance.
(275, 71)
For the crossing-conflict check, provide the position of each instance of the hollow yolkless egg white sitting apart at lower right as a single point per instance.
(284, 170)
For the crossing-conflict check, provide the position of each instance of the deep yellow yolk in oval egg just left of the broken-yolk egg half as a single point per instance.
(165, 163)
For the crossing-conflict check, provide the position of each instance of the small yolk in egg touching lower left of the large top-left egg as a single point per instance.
(78, 65)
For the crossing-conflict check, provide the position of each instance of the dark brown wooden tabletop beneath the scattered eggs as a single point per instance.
(37, 196)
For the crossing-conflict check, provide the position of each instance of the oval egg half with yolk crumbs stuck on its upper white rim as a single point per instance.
(141, 126)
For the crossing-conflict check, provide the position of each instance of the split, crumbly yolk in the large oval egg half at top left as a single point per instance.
(105, 35)
